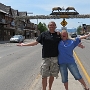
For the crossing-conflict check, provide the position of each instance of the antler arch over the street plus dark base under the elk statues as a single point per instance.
(57, 15)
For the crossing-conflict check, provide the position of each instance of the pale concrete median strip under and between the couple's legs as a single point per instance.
(58, 85)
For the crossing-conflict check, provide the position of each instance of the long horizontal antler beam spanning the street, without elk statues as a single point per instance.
(54, 16)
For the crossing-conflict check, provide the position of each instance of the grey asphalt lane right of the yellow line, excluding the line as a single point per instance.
(84, 55)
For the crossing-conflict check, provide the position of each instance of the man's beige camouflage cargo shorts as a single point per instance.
(50, 67)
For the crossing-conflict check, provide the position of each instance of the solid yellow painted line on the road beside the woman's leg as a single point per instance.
(82, 67)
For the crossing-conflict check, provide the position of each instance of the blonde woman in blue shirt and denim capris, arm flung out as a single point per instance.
(66, 60)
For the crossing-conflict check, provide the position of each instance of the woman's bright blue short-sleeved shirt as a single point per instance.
(65, 49)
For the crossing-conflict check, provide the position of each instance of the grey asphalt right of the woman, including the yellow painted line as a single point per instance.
(84, 59)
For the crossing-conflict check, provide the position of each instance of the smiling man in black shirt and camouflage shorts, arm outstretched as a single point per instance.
(49, 41)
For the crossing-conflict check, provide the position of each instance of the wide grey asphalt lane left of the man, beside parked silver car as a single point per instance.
(19, 66)
